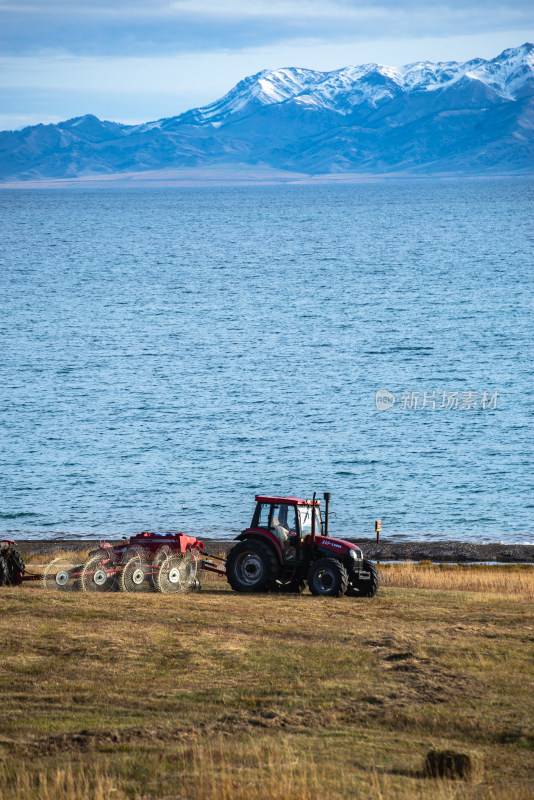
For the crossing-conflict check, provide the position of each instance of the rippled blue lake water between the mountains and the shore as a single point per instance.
(168, 353)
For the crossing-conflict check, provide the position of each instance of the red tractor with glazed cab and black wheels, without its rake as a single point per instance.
(287, 546)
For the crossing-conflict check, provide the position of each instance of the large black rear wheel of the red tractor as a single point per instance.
(251, 566)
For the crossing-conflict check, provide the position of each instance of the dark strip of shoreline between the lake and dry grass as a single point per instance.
(446, 551)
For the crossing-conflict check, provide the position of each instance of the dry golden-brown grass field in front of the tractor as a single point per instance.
(219, 695)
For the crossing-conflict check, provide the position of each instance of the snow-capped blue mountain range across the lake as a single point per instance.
(474, 118)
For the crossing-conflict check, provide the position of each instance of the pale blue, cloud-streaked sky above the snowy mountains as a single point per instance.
(136, 60)
